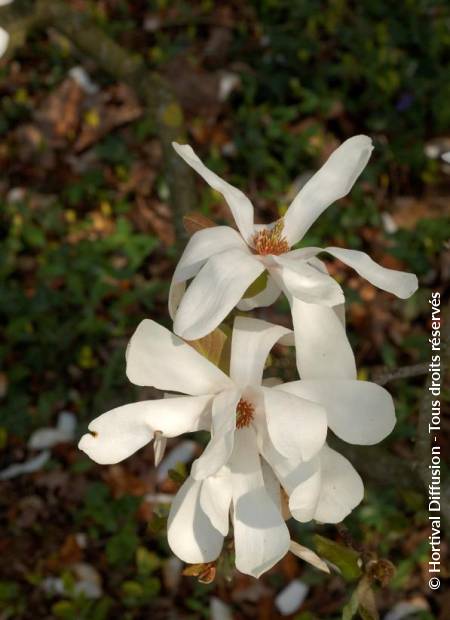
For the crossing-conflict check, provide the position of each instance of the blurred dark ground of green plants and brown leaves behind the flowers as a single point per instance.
(91, 209)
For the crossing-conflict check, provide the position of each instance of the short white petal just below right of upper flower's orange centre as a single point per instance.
(305, 282)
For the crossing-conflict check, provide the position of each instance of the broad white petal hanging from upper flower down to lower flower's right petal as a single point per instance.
(322, 347)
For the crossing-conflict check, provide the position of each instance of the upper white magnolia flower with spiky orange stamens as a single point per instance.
(224, 262)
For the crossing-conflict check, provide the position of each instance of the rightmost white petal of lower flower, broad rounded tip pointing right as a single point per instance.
(359, 412)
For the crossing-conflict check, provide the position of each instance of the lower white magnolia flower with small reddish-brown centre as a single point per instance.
(243, 417)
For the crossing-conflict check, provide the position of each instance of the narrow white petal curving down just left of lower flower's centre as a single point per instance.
(220, 447)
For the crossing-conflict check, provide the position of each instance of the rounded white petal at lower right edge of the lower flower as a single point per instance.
(342, 488)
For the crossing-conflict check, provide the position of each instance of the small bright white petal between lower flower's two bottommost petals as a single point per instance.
(215, 500)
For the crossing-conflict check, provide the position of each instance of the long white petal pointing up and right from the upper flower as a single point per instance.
(333, 181)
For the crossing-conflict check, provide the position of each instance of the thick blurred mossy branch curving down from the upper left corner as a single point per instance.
(124, 66)
